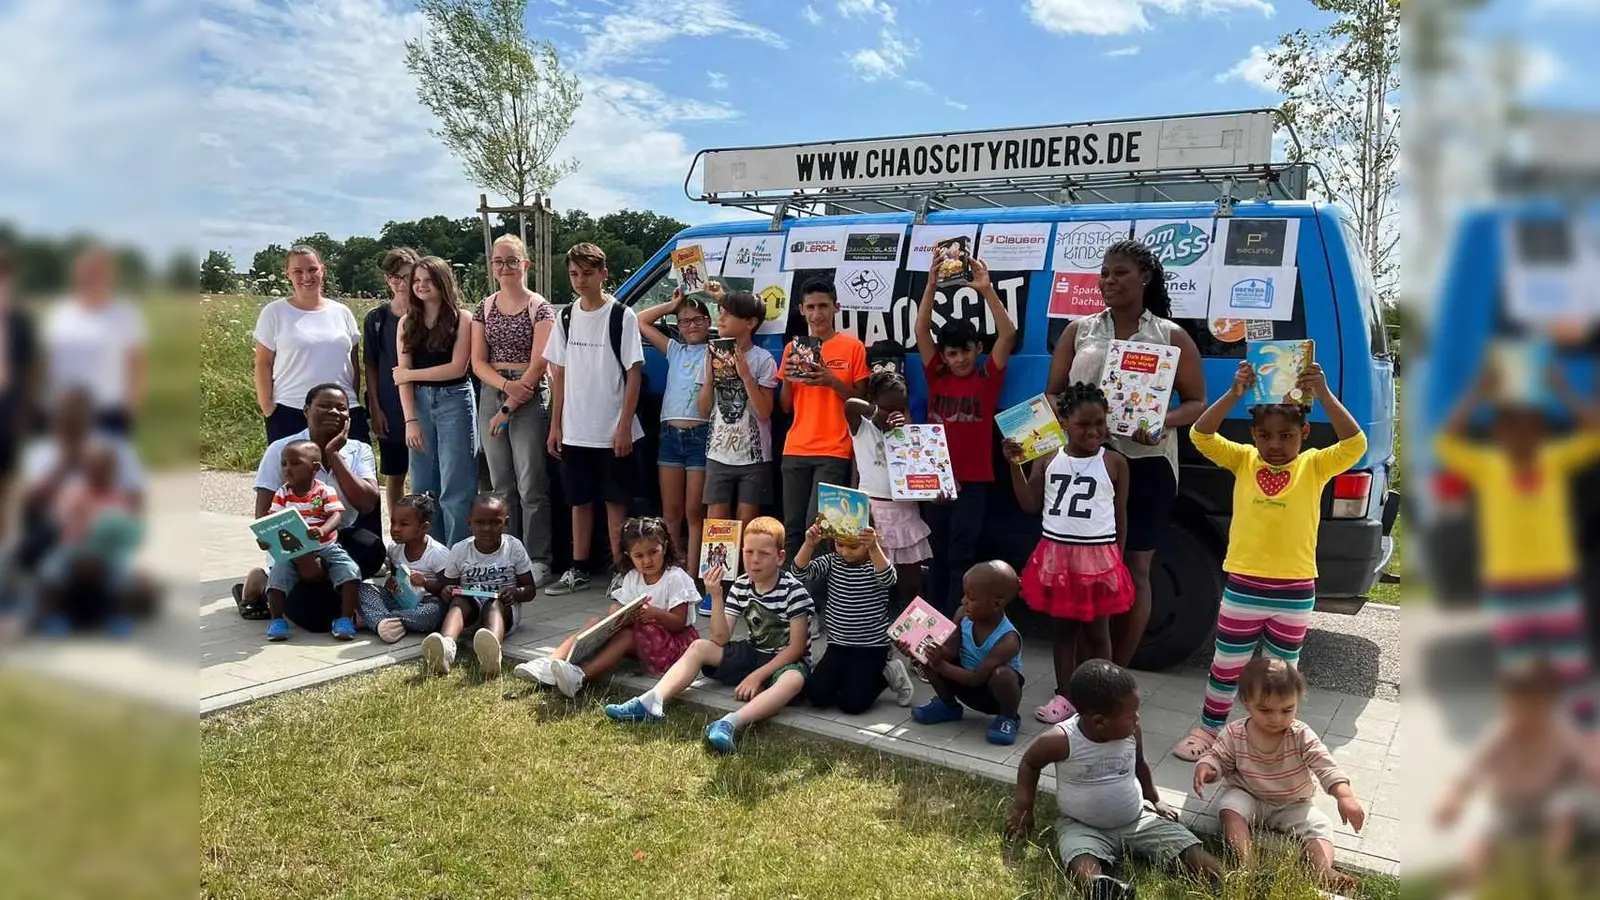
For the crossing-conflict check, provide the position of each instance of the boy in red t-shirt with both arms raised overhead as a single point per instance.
(962, 396)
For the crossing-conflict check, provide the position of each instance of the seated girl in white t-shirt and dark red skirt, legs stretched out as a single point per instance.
(663, 630)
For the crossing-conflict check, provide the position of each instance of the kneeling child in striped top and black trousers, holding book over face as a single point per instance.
(857, 667)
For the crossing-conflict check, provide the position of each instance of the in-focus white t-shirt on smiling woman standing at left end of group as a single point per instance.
(313, 348)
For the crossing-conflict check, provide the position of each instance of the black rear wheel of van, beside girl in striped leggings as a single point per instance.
(1186, 592)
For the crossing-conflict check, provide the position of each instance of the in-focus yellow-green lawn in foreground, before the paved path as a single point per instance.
(391, 785)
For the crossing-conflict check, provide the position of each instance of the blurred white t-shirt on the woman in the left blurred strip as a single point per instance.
(89, 348)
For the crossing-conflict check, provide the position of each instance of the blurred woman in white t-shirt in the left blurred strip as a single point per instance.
(95, 340)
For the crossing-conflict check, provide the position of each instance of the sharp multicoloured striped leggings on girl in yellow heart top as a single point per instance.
(1268, 613)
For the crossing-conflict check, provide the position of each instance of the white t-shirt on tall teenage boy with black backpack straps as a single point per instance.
(594, 384)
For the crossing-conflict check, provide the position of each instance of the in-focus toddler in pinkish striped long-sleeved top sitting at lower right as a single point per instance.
(1270, 760)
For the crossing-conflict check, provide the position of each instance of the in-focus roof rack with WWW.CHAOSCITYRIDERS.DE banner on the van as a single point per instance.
(1198, 158)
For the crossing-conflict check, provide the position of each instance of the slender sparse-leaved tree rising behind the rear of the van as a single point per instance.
(1342, 95)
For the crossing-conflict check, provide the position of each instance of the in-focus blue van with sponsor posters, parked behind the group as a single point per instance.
(1335, 303)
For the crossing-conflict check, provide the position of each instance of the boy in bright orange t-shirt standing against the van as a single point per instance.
(818, 446)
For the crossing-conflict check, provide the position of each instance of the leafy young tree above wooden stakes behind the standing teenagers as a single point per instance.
(502, 100)
